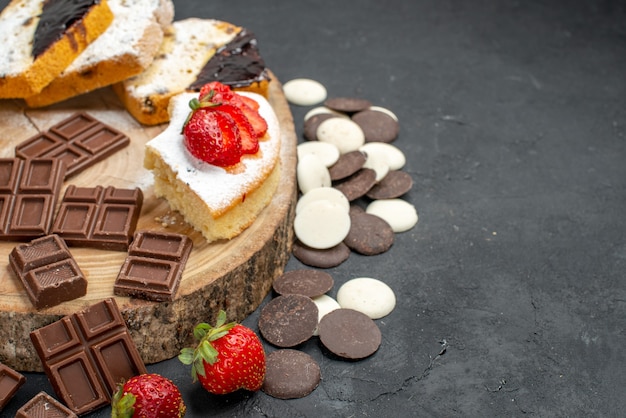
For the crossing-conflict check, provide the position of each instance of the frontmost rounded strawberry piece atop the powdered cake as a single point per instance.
(213, 137)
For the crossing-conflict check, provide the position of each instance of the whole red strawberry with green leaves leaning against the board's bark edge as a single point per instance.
(227, 358)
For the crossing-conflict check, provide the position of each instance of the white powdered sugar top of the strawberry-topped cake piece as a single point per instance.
(219, 188)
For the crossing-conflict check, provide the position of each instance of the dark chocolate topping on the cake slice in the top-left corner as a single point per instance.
(57, 16)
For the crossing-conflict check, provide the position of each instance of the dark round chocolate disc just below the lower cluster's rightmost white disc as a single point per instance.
(349, 334)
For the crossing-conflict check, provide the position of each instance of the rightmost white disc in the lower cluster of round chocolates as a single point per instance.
(369, 296)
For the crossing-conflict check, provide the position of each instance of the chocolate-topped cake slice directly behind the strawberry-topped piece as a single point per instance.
(194, 52)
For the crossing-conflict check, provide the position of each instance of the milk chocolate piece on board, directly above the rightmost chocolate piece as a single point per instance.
(98, 217)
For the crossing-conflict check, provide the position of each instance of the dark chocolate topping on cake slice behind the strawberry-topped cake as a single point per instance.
(237, 64)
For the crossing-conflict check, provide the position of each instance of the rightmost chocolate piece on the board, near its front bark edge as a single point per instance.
(154, 266)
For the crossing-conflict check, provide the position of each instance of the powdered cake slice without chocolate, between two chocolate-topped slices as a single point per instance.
(125, 49)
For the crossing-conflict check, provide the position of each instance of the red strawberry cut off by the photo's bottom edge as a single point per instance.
(148, 396)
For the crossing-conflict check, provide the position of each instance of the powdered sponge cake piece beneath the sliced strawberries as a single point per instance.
(220, 202)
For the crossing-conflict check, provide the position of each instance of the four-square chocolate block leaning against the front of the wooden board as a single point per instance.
(86, 354)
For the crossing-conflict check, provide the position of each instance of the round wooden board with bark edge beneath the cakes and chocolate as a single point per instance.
(232, 275)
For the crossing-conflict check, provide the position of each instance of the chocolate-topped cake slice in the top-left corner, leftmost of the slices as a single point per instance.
(40, 38)
